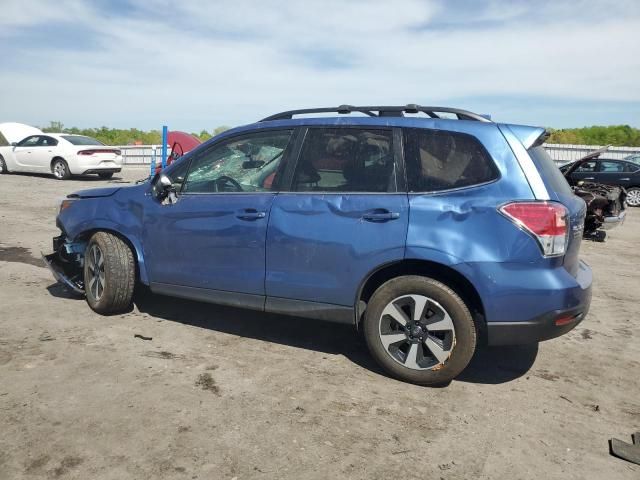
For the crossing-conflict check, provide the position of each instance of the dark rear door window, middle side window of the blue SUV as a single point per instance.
(346, 160)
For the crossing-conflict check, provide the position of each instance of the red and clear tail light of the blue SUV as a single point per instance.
(547, 222)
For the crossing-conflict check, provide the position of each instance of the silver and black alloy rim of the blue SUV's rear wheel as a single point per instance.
(417, 332)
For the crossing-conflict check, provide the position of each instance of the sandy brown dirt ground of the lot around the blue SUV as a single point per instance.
(225, 393)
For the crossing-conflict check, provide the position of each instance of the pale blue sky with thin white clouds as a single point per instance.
(200, 64)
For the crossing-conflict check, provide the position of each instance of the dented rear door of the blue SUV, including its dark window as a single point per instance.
(346, 214)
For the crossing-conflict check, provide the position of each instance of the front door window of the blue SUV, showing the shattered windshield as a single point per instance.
(246, 164)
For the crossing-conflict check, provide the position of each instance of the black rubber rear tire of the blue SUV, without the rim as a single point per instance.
(462, 337)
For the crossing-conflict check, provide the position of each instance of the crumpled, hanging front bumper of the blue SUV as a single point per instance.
(67, 262)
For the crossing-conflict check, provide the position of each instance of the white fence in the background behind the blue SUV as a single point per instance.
(143, 154)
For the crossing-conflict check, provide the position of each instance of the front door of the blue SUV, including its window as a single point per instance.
(212, 238)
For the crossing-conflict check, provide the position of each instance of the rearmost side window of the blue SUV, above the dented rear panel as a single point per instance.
(440, 160)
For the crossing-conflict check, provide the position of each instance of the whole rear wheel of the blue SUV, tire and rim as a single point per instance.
(419, 330)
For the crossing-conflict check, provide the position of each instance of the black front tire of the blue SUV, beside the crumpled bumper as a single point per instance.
(116, 272)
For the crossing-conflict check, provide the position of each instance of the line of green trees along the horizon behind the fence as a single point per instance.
(617, 135)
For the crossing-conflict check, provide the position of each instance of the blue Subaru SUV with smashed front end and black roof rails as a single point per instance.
(432, 229)
